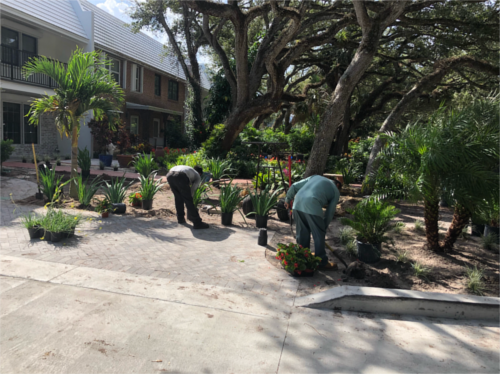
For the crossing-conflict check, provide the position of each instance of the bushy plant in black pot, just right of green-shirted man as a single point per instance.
(372, 219)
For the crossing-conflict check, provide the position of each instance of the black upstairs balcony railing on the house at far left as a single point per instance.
(11, 63)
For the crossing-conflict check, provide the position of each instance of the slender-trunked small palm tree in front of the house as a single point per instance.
(84, 85)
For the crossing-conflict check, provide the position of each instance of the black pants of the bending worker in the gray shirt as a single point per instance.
(180, 185)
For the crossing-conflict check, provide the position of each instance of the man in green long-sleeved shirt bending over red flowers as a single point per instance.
(310, 195)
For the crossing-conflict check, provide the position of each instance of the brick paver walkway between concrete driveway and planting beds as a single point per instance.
(227, 257)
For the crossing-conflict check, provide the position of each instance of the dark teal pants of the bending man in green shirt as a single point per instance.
(307, 224)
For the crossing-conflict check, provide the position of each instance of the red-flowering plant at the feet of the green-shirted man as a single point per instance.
(296, 259)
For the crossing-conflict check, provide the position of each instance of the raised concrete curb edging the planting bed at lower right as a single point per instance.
(380, 300)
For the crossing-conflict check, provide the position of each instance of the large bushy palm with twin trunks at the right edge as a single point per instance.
(455, 155)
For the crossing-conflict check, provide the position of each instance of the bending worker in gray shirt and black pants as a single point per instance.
(184, 180)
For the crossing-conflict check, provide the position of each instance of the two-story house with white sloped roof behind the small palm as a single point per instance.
(153, 82)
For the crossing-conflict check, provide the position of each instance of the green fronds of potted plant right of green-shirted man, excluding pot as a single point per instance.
(372, 219)
